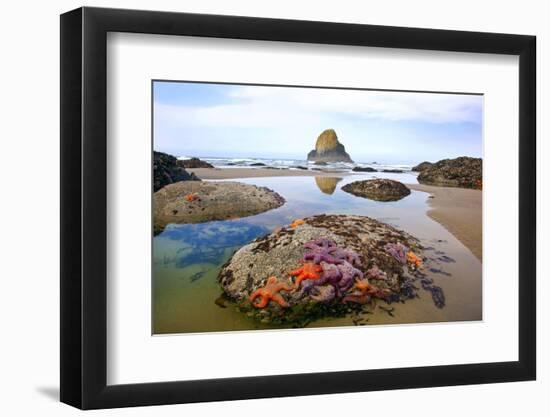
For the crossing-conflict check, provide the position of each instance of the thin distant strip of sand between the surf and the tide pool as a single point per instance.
(231, 173)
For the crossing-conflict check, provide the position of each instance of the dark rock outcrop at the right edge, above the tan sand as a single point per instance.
(464, 172)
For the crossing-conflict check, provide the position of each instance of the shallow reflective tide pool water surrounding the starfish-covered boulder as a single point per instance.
(187, 258)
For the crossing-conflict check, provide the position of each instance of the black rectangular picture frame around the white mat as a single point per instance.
(84, 207)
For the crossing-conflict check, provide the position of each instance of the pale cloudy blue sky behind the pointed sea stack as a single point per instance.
(198, 119)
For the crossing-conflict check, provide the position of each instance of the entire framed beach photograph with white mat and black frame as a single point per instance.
(257, 208)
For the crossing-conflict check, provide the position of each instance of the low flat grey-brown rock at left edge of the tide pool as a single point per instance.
(197, 202)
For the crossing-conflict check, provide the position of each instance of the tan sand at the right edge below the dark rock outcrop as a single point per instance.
(459, 210)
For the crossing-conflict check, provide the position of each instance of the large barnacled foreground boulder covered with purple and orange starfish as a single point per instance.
(327, 265)
